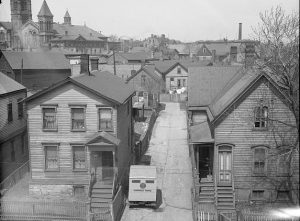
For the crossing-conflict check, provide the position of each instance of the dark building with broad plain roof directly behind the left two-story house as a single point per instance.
(37, 70)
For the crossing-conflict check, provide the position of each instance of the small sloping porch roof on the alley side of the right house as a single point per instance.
(200, 133)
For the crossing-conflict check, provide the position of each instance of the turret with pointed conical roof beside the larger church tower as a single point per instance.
(45, 18)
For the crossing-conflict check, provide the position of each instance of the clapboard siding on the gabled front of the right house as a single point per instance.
(237, 128)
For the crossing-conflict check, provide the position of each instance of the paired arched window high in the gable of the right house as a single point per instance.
(261, 119)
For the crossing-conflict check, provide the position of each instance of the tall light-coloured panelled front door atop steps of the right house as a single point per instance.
(225, 161)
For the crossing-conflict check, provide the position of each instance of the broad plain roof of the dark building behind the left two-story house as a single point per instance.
(37, 60)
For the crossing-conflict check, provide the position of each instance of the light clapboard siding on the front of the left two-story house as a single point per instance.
(63, 97)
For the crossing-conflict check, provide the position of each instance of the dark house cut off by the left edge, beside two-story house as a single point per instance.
(13, 136)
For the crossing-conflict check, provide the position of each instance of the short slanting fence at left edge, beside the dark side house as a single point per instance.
(13, 178)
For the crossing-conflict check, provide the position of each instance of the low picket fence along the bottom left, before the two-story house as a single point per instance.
(35, 210)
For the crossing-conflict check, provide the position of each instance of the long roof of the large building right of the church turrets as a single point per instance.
(76, 30)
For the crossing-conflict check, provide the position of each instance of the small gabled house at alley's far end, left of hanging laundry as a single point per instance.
(147, 84)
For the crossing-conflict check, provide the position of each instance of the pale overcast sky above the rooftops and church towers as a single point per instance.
(185, 20)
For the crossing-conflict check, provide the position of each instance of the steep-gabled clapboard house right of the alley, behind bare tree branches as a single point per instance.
(240, 131)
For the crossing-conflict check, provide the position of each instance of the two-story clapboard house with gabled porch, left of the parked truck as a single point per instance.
(80, 137)
